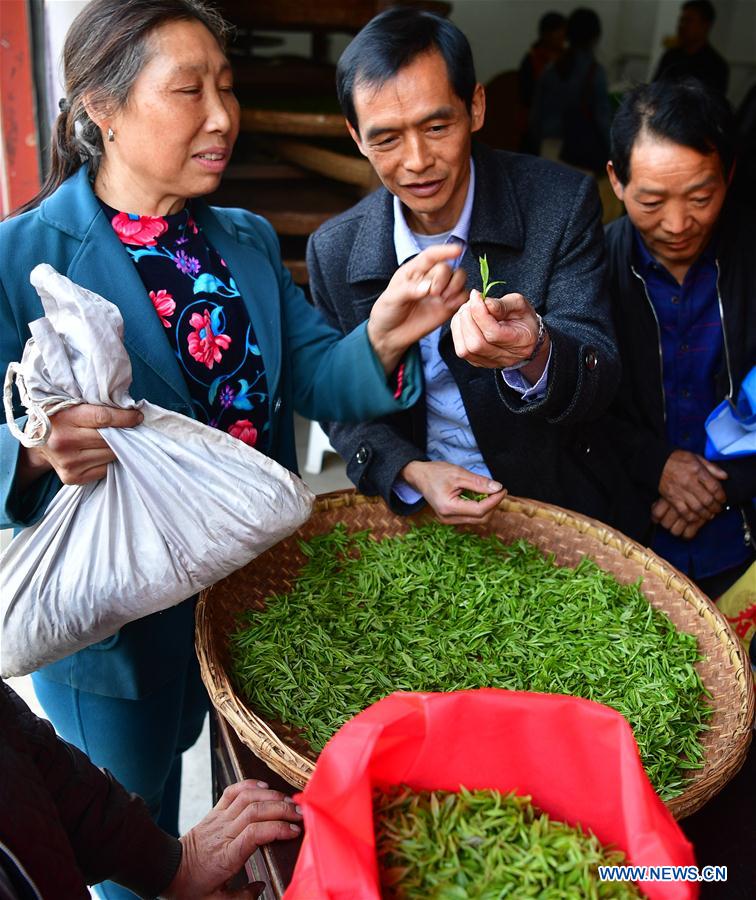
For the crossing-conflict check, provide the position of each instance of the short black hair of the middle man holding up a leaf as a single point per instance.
(391, 41)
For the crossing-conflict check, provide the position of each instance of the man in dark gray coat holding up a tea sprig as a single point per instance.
(514, 385)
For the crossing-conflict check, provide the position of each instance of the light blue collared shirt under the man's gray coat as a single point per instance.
(449, 435)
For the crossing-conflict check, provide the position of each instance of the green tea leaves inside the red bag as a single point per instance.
(483, 844)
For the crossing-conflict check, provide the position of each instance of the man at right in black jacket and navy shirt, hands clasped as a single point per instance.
(682, 272)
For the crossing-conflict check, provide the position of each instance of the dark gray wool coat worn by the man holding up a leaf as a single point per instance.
(539, 224)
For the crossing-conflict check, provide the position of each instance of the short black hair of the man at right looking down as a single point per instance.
(685, 111)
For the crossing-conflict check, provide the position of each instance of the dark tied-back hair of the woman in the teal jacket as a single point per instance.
(105, 49)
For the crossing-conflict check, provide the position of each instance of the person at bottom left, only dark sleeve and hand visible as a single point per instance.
(64, 824)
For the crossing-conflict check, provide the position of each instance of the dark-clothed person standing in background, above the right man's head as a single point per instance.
(693, 56)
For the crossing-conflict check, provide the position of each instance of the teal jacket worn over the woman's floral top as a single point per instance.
(310, 367)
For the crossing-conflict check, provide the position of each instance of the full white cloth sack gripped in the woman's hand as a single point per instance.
(183, 506)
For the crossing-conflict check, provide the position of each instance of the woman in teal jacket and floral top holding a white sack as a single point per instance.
(214, 327)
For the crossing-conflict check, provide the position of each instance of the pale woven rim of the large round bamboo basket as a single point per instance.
(296, 768)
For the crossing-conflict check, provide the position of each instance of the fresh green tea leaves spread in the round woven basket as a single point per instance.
(439, 609)
